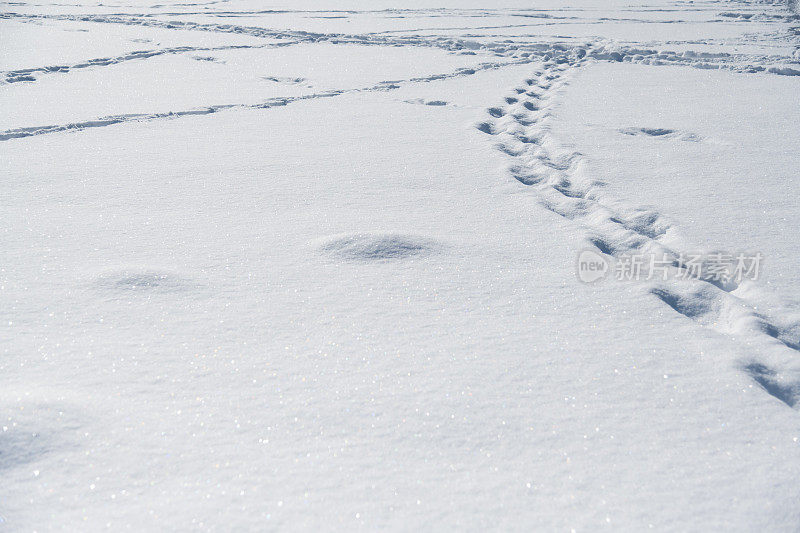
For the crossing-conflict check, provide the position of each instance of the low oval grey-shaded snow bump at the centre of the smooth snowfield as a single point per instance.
(377, 246)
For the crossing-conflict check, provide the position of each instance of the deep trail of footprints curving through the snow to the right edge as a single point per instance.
(521, 129)
